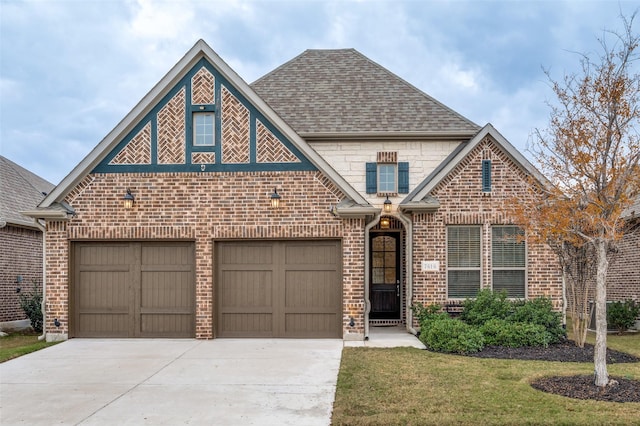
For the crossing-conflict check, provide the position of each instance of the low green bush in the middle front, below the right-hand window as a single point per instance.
(501, 332)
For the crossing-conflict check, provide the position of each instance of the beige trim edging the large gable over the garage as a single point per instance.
(197, 52)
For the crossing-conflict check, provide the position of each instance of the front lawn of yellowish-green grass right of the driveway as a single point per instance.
(405, 386)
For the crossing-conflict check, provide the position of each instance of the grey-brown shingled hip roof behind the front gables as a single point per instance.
(324, 93)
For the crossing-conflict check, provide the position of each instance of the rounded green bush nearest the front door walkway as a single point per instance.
(444, 334)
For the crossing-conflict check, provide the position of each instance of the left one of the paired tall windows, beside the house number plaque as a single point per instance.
(463, 261)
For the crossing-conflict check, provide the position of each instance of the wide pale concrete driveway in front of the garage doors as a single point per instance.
(156, 382)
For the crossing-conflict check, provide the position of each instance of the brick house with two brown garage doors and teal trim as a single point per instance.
(325, 198)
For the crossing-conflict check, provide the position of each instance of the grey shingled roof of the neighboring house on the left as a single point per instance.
(19, 190)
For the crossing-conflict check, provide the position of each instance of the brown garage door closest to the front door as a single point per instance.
(279, 289)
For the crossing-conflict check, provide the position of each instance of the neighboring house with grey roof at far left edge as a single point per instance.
(20, 238)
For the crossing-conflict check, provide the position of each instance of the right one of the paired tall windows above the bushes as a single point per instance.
(508, 260)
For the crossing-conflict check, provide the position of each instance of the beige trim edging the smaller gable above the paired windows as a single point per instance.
(420, 198)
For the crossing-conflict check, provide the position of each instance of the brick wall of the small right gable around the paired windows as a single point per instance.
(463, 203)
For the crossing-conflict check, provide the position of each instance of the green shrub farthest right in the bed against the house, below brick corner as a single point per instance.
(540, 311)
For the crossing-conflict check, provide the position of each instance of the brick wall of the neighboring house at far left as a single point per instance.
(20, 254)
